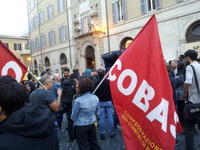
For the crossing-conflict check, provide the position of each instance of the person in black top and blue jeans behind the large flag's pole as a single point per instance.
(106, 107)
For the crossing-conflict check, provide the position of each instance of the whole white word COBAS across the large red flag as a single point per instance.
(146, 92)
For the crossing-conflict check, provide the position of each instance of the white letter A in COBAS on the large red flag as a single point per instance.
(155, 114)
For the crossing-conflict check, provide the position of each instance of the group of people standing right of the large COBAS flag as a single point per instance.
(186, 90)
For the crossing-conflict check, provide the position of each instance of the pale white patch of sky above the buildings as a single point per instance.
(14, 17)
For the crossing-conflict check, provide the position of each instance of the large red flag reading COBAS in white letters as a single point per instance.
(142, 93)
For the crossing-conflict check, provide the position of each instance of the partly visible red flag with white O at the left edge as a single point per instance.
(10, 64)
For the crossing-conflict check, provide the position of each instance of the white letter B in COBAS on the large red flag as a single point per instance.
(142, 94)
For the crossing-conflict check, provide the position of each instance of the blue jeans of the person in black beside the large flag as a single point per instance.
(106, 109)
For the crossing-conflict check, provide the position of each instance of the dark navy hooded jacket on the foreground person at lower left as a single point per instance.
(29, 128)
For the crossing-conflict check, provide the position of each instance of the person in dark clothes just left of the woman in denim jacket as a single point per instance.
(67, 96)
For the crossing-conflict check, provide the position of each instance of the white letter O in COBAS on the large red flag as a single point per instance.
(132, 85)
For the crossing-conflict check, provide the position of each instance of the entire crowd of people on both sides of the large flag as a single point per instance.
(31, 113)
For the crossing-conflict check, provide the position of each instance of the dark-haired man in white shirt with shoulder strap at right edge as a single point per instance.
(190, 90)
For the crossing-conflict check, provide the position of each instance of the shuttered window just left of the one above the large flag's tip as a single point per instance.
(119, 10)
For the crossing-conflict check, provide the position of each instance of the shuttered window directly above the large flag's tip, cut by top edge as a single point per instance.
(149, 5)
